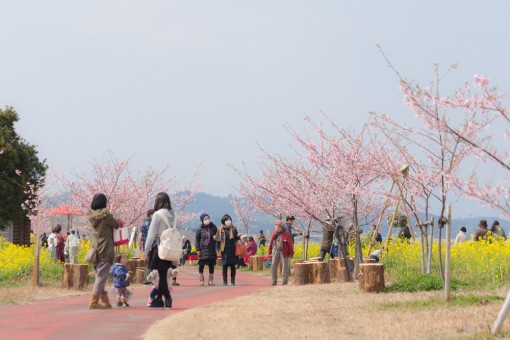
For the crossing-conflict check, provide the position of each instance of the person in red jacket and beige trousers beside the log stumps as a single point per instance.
(281, 248)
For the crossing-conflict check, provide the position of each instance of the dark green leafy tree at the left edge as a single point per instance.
(21, 171)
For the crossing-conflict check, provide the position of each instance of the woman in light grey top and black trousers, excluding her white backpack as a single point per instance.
(163, 218)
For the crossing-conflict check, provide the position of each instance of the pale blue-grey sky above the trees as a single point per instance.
(177, 82)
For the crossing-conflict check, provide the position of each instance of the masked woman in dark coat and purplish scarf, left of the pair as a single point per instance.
(205, 245)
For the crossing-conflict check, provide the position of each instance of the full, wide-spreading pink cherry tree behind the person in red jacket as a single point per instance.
(337, 174)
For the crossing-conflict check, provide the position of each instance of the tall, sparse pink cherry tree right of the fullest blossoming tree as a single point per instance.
(434, 153)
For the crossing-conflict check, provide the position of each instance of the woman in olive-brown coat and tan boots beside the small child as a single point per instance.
(103, 223)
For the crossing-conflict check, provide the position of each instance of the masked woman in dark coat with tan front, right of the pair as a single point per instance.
(228, 236)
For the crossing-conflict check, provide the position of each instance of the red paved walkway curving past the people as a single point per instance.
(70, 318)
